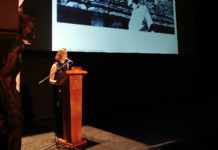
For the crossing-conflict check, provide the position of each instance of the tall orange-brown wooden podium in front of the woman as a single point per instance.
(72, 107)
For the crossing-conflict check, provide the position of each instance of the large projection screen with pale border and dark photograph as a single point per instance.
(115, 26)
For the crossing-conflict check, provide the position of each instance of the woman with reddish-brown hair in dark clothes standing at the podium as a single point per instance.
(56, 73)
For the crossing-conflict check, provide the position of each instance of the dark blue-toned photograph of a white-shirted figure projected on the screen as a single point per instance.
(138, 15)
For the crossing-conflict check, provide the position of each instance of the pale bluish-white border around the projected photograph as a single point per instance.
(86, 38)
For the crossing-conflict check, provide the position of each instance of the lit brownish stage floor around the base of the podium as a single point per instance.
(97, 139)
